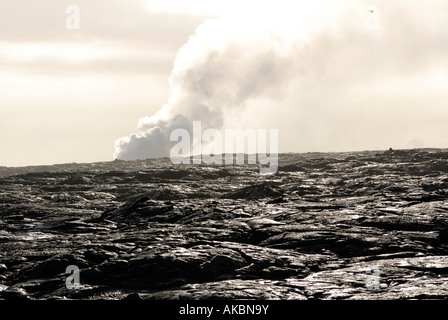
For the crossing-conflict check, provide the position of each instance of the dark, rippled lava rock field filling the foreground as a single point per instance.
(150, 230)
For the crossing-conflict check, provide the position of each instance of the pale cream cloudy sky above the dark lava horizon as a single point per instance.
(355, 75)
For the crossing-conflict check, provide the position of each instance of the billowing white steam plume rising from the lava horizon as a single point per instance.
(276, 52)
